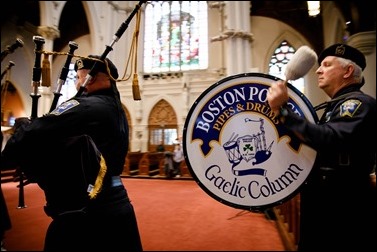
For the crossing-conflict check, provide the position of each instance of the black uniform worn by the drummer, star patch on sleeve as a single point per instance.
(337, 200)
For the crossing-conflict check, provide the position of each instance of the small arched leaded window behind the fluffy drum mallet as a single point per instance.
(279, 60)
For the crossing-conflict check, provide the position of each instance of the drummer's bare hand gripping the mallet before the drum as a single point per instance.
(277, 96)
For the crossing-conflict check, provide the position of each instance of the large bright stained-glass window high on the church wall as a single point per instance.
(175, 36)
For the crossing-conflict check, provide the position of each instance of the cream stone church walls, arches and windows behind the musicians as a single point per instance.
(175, 50)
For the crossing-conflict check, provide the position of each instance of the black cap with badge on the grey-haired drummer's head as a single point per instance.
(346, 52)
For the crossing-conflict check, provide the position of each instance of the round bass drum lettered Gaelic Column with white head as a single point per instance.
(237, 151)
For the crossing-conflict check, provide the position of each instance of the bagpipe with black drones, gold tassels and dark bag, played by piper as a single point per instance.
(41, 172)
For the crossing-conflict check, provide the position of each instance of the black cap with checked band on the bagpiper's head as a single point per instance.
(88, 63)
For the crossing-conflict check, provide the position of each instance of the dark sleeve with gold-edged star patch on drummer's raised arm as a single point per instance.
(348, 123)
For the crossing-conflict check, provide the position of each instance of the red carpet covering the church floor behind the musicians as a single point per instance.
(173, 215)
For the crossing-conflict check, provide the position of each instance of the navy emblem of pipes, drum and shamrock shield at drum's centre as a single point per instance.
(251, 147)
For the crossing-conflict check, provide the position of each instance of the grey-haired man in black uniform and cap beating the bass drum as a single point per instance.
(338, 204)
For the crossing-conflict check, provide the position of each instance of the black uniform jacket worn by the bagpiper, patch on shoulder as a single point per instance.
(61, 151)
